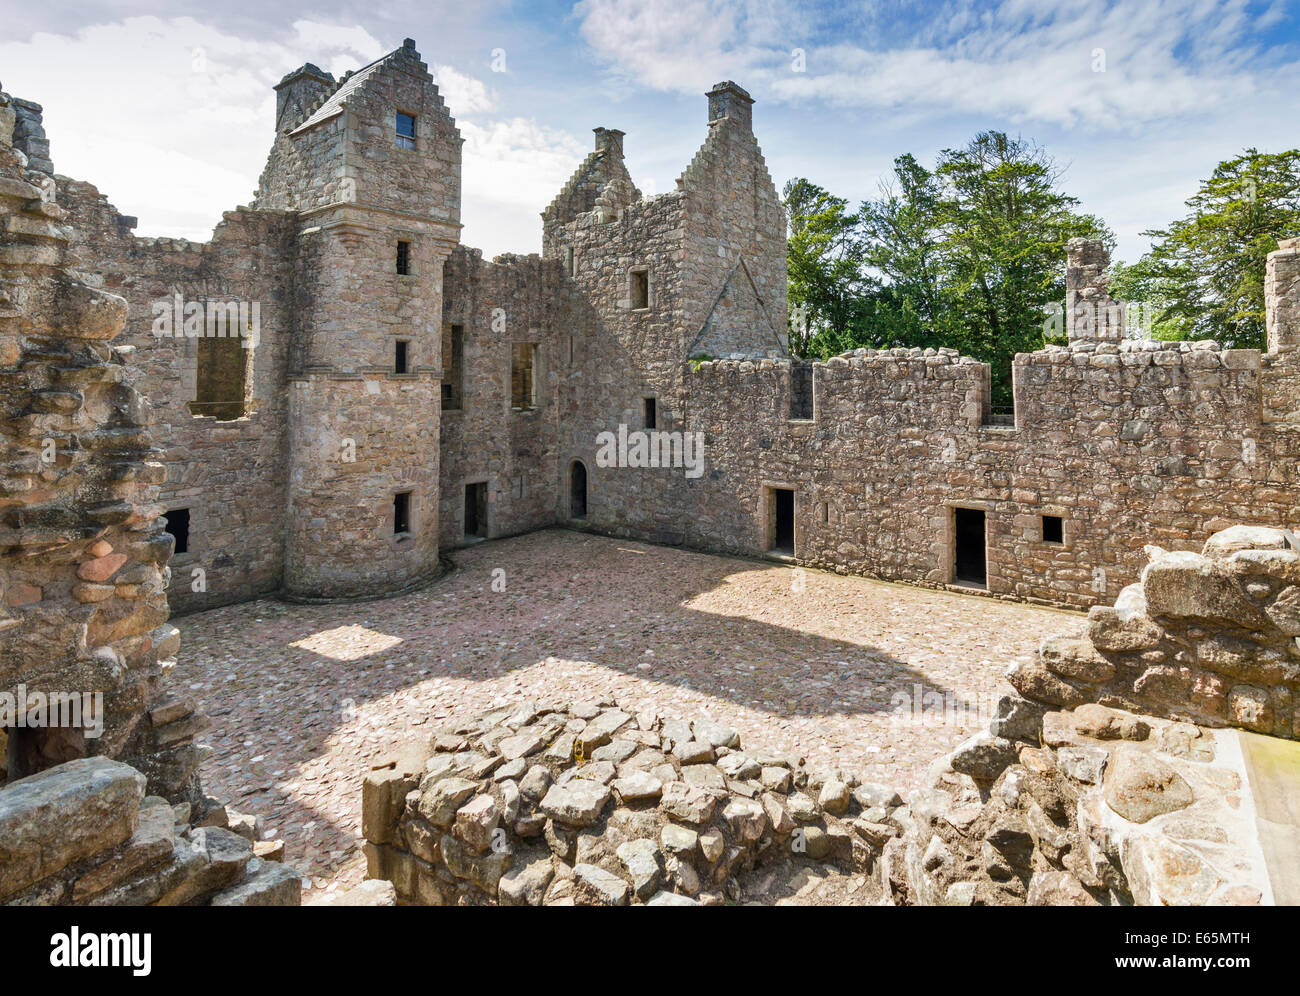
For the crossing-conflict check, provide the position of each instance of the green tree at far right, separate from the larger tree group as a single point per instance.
(1204, 276)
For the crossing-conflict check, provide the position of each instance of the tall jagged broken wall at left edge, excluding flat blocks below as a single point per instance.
(84, 608)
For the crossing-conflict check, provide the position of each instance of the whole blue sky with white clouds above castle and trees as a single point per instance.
(168, 109)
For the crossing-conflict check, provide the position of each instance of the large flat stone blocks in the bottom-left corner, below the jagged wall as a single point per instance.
(85, 834)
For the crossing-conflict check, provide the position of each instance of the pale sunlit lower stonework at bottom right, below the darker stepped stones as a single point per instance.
(1081, 808)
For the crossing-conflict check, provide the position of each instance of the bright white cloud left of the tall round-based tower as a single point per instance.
(179, 131)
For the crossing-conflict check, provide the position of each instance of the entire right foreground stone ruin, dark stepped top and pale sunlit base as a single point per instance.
(1108, 783)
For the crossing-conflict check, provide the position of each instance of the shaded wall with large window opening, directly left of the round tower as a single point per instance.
(229, 474)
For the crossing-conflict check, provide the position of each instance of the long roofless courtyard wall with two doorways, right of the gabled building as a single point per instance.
(1123, 441)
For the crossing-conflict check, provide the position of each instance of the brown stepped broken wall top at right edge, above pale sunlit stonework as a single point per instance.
(1208, 638)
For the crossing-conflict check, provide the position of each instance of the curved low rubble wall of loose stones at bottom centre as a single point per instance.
(595, 804)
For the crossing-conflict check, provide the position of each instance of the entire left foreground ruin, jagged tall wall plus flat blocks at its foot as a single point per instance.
(85, 642)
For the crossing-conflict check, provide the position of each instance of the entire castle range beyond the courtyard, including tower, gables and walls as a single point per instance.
(405, 397)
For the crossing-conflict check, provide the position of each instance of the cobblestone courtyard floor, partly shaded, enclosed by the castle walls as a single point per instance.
(304, 698)
